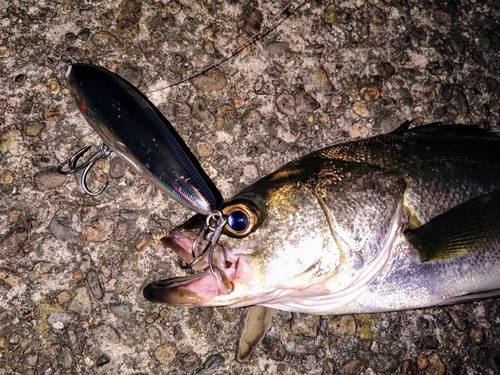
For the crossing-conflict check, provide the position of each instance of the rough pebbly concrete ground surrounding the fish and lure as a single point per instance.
(72, 267)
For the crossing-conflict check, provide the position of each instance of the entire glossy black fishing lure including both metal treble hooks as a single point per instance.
(130, 125)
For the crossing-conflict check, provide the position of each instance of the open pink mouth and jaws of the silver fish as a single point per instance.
(205, 284)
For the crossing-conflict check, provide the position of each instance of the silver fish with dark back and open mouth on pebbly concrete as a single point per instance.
(398, 221)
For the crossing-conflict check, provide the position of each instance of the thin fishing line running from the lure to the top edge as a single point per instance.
(252, 40)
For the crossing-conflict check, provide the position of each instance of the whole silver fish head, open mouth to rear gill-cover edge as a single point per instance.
(306, 238)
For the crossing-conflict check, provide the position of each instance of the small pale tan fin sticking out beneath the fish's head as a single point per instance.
(257, 323)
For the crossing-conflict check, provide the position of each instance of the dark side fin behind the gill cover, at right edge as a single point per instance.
(465, 229)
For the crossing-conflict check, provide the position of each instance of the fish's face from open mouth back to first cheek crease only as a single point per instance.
(263, 253)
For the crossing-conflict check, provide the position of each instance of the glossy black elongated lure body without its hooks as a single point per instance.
(133, 128)
